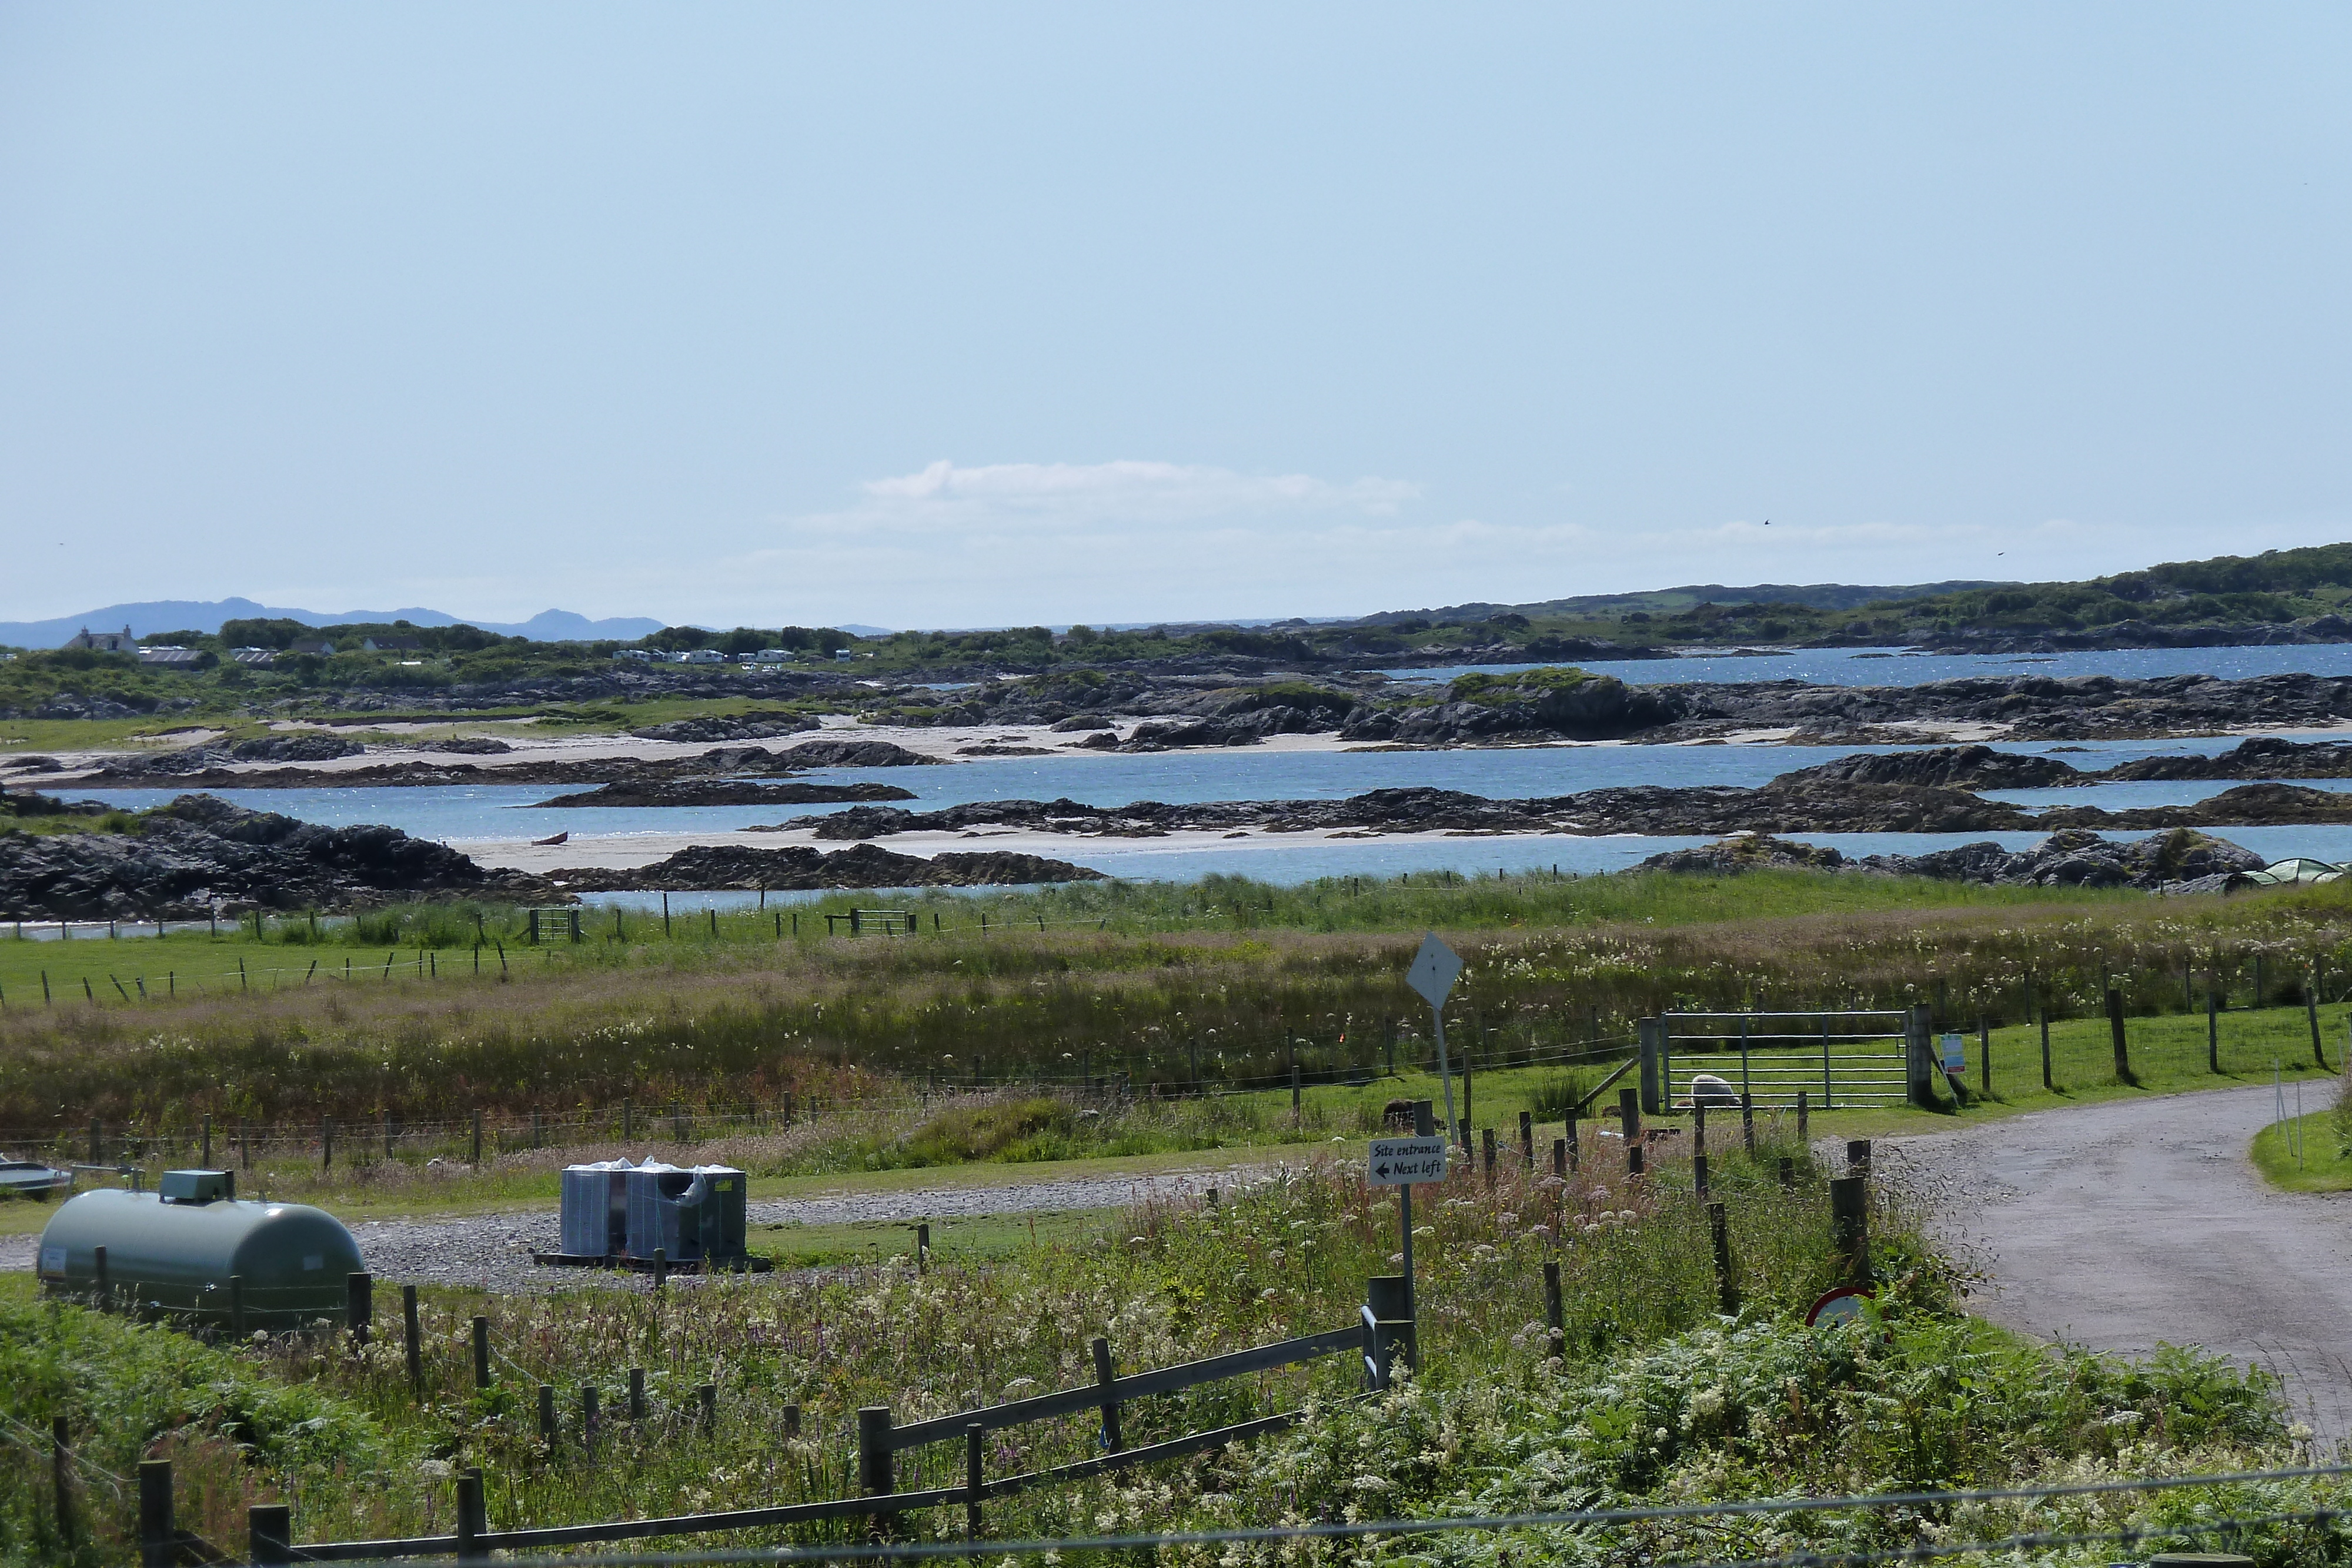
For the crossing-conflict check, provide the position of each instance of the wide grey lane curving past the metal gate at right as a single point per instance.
(2139, 1221)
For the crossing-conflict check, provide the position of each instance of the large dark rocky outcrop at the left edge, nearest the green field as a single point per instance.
(201, 852)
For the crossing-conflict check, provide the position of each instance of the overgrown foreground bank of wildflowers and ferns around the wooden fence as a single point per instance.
(1657, 1398)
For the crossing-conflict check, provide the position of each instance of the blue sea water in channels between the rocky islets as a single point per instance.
(476, 815)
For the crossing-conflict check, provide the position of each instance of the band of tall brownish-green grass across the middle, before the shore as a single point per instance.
(747, 1021)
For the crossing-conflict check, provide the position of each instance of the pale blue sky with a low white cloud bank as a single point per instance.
(944, 316)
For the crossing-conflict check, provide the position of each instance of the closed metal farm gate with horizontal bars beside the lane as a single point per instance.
(1838, 1061)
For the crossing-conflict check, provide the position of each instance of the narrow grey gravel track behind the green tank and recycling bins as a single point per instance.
(497, 1249)
